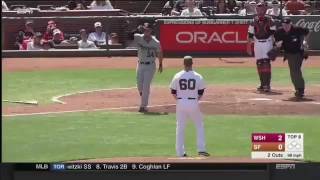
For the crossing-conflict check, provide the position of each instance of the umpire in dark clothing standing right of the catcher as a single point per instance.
(292, 40)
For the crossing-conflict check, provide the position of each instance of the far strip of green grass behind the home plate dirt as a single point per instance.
(42, 85)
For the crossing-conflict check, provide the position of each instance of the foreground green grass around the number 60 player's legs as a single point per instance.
(72, 136)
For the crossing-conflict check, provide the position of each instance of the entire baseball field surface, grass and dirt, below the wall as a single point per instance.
(87, 109)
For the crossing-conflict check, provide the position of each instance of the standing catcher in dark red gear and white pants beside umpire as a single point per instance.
(261, 32)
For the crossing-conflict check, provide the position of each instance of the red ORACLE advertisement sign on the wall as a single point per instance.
(204, 37)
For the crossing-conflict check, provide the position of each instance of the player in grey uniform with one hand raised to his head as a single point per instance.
(148, 49)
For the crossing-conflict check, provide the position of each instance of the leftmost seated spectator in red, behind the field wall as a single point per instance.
(25, 36)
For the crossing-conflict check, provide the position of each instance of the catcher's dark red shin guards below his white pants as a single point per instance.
(264, 71)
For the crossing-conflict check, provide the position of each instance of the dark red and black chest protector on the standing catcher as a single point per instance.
(262, 27)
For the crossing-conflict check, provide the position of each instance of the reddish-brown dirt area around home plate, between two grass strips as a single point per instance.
(217, 100)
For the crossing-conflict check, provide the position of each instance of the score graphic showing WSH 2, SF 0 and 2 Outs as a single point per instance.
(277, 146)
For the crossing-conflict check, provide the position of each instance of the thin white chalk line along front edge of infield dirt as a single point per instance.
(90, 110)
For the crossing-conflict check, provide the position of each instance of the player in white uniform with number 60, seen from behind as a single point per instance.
(187, 87)
